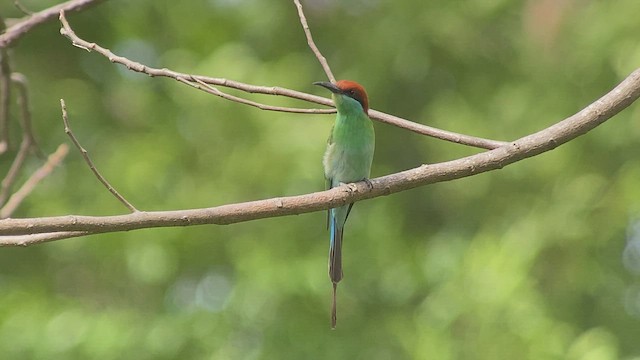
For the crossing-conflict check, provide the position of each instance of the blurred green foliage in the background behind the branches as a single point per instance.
(540, 260)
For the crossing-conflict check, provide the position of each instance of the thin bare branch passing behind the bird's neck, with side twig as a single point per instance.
(67, 31)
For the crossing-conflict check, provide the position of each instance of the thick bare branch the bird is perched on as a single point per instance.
(593, 115)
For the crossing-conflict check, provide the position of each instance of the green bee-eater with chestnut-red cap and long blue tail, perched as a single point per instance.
(347, 159)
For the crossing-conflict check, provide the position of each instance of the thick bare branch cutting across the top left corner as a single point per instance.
(20, 28)
